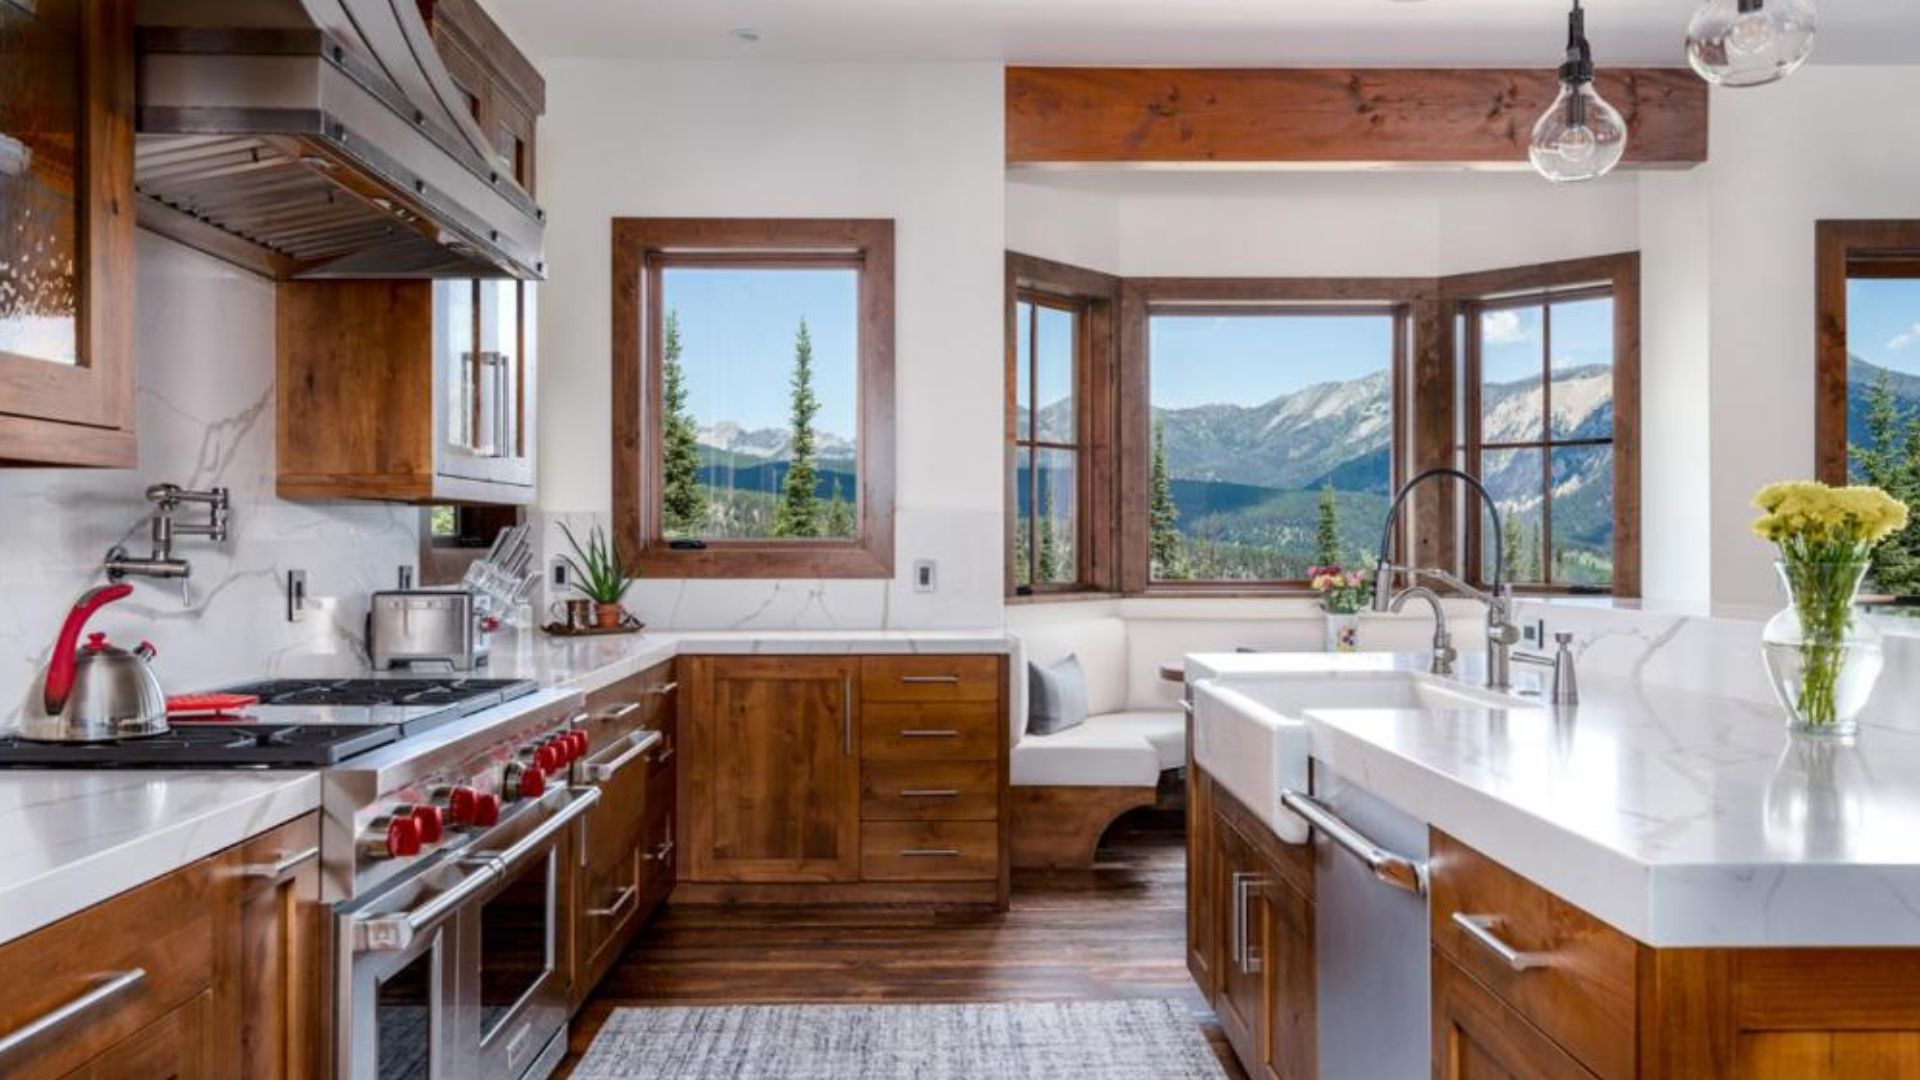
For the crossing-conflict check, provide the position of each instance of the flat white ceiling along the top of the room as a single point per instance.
(1166, 32)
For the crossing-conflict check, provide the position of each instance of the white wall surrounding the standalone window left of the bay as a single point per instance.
(915, 143)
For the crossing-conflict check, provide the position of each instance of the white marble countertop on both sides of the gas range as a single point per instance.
(72, 839)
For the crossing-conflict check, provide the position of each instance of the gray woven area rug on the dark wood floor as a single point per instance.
(1030, 1041)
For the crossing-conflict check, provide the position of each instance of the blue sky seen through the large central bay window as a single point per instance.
(1249, 360)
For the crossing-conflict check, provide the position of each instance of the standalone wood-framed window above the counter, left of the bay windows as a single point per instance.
(750, 355)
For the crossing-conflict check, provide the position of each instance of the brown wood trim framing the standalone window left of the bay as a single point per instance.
(638, 245)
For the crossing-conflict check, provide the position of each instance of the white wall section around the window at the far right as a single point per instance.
(1827, 143)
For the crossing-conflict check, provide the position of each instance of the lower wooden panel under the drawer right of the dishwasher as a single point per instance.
(1481, 1039)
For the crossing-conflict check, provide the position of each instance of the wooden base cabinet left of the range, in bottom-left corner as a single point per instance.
(210, 971)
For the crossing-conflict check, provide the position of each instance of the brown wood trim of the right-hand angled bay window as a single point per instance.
(1572, 280)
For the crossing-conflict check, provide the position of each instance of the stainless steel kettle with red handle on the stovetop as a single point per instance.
(95, 693)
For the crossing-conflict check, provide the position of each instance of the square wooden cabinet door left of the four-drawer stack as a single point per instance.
(773, 770)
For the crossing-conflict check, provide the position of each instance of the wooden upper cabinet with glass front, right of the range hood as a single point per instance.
(408, 391)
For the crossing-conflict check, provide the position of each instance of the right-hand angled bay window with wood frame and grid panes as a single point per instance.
(1550, 378)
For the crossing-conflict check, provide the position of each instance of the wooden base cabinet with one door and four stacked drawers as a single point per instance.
(846, 779)
